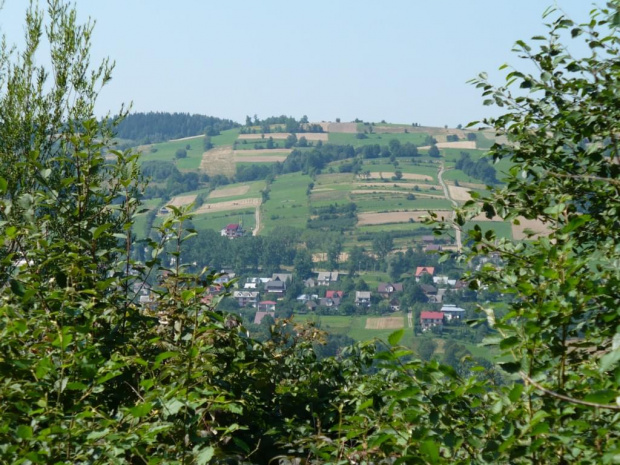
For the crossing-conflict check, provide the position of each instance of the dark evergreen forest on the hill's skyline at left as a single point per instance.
(155, 127)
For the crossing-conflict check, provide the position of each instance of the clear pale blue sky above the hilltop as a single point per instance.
(402, 61)
